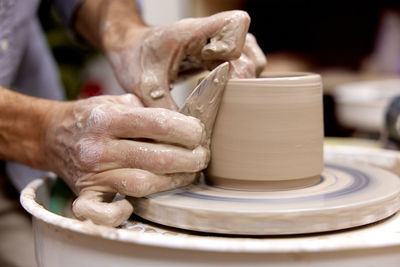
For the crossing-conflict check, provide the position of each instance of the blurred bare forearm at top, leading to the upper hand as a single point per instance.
(102, 22)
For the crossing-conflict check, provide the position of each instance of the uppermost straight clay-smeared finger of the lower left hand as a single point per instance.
(158, 124)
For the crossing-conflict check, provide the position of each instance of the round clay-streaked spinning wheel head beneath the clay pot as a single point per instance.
(344, 196)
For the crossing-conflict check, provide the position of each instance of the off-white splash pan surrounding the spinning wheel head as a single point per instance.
(64, 241)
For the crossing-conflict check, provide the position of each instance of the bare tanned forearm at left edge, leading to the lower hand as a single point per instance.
(22, 125)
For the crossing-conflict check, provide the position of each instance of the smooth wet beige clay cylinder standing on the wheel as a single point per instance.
(268, 130)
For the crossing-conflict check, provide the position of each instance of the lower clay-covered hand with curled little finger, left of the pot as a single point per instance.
(114, 144)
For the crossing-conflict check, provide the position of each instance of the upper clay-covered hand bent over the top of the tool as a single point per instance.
(146, 60)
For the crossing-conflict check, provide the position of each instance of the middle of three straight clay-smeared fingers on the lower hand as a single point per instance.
(154, 157)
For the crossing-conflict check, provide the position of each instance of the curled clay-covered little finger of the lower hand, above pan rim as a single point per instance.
(100, 209)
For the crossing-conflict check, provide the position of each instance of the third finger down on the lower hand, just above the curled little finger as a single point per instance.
(139, 183)
